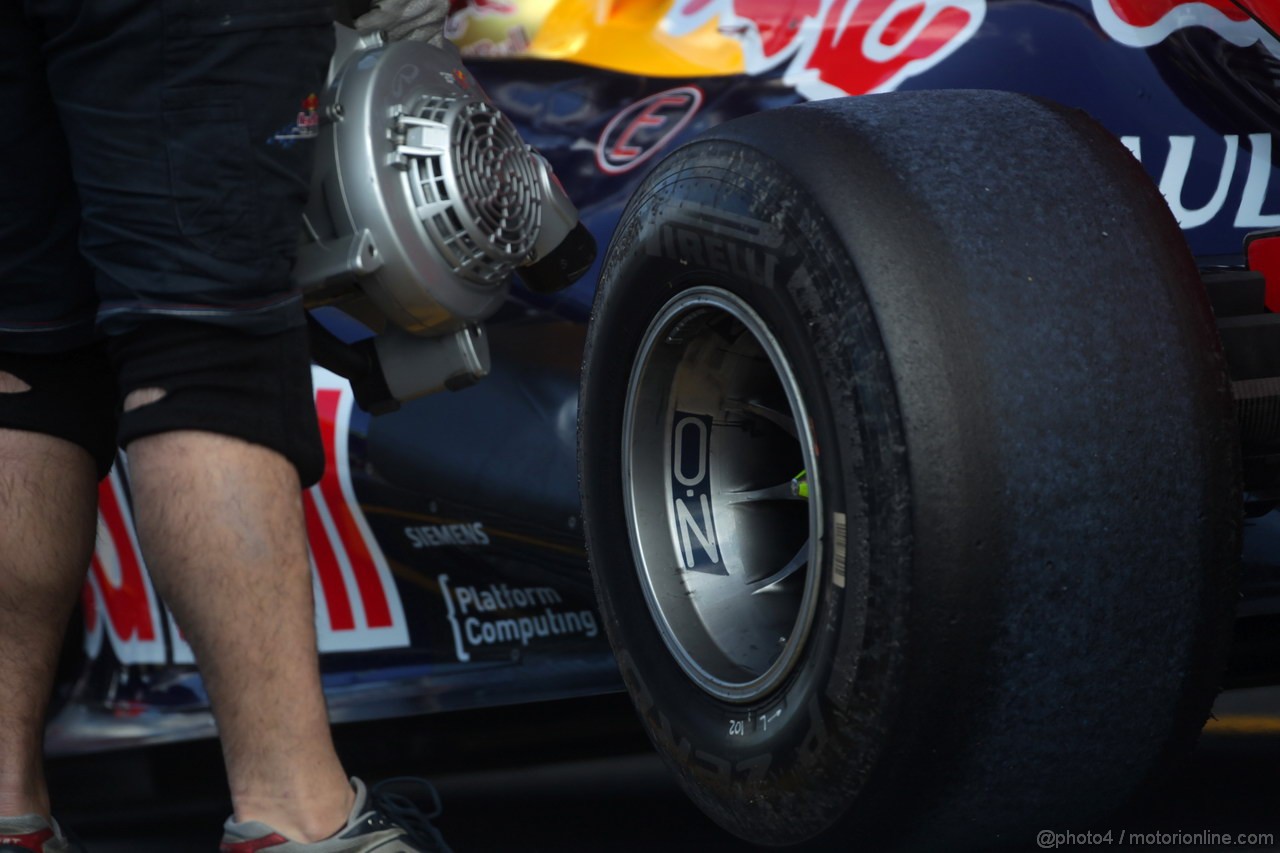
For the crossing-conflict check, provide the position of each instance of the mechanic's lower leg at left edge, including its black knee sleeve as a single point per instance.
(57, 441)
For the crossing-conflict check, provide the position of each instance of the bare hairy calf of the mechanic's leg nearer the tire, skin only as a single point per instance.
(221, 526)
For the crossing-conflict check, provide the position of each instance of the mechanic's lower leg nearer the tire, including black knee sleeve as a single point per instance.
(221, 431)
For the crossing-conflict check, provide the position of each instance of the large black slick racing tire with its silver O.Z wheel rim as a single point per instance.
(909, 472)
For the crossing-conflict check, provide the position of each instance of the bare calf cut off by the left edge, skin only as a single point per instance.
(48, 522)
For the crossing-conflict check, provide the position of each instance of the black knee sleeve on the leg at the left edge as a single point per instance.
(72, 398)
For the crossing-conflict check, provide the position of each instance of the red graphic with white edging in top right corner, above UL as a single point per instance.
(1144, 24)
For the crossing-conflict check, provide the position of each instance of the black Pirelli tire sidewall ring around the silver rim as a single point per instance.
(708, 220)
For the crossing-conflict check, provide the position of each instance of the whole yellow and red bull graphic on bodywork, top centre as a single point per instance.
(828, 48)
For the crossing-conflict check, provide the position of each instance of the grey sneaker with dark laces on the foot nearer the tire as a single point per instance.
(383, 820)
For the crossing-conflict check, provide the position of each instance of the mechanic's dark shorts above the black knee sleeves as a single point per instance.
(154, 163)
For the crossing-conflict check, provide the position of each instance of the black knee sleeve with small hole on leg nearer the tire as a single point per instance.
(222, 381)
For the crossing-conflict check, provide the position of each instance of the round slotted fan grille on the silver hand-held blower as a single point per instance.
(481, 199)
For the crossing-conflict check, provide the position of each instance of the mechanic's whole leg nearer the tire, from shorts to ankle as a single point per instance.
(193, 162)
